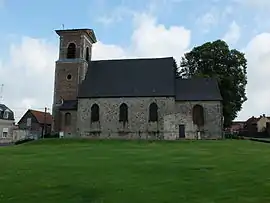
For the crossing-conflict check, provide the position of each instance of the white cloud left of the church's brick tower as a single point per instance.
(28, 75)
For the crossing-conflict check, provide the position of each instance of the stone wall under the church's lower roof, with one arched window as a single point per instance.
(212, 117)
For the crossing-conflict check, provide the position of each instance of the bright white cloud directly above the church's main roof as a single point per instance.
(155, 40)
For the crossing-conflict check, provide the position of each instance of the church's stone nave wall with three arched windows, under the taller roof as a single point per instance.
(138, 115)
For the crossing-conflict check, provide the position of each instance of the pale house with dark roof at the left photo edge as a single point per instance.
(6, 123)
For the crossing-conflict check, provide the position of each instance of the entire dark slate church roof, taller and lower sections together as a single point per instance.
(145, 77)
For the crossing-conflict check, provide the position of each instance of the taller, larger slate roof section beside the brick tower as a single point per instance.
(129, 78)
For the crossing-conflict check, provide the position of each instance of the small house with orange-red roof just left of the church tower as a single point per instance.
(36, 123)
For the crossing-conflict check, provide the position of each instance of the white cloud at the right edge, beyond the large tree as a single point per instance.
(258, 91)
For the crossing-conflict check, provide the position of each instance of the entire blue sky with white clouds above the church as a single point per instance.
(125, 29)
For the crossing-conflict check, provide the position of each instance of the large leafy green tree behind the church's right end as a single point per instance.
(229, 67)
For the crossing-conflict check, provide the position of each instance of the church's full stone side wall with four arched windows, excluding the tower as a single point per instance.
(170, 115)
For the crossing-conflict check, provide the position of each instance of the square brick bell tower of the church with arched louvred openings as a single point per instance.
(75, 50)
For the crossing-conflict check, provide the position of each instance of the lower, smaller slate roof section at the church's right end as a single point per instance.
(197, 89)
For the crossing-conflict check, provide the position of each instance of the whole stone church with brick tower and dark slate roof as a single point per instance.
(129, 98)
